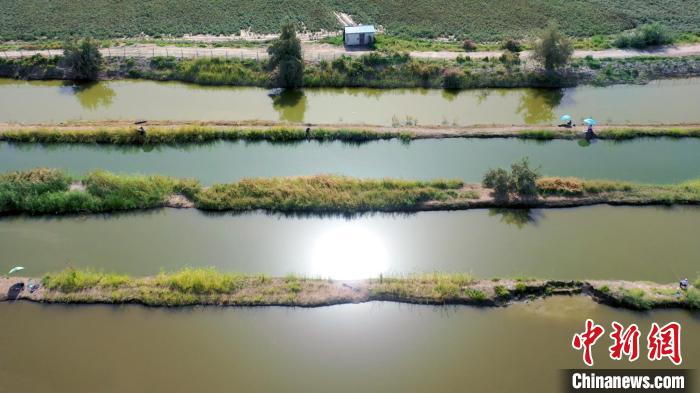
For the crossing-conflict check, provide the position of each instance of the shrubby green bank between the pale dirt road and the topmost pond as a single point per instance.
(388, 70)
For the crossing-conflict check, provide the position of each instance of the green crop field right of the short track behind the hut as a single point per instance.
(498, 19)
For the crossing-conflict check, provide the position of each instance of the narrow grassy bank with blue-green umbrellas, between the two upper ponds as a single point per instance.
(193, 133)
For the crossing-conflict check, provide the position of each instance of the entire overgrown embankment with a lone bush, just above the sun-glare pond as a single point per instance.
(52, 191)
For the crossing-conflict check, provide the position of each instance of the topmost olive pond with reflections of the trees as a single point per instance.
(668, 101)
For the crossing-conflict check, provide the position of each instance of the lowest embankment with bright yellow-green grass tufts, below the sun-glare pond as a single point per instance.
(210, 287)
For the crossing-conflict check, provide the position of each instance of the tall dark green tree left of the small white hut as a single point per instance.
(286, 58)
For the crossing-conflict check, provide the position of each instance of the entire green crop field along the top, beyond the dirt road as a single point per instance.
(478, 20)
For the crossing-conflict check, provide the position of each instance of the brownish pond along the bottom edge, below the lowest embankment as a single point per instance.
(384, 347)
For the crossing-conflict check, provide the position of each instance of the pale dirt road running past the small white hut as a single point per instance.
(314, 51)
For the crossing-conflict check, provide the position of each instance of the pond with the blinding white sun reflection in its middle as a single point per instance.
(603, 242)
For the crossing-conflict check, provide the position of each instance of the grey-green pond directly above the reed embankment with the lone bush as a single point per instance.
(642, 160)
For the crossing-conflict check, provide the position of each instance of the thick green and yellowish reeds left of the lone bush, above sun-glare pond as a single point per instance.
(51, 191)
